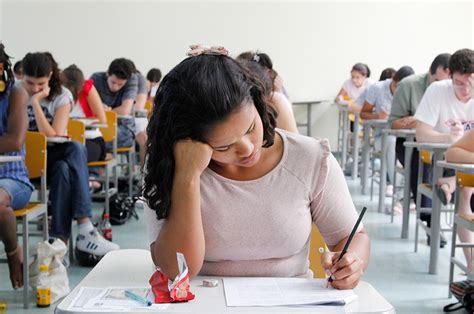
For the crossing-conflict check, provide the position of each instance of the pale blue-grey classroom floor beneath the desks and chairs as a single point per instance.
(398, 273)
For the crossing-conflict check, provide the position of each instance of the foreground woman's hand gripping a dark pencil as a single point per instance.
(345, 273)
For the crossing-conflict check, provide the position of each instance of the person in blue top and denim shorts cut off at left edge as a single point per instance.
(15, 188)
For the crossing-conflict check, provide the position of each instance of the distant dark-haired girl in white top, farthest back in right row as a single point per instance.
(355, 86)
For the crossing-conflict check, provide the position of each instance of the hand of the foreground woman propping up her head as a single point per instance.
(191, 157)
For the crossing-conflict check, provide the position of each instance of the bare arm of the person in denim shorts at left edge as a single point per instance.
(14, 139)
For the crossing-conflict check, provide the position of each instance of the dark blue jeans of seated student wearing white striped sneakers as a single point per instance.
(68, 178)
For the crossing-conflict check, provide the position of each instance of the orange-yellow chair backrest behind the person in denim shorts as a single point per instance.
(35, 158)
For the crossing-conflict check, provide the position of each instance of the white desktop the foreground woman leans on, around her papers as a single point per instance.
(134, 268)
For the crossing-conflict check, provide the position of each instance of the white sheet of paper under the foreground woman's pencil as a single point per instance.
(283, 291)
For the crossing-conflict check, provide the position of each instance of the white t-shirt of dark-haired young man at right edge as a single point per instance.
(440, 106)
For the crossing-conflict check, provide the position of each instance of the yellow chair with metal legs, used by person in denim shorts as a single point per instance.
(35, 161)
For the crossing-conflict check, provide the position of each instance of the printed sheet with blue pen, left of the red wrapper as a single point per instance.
(112, 299)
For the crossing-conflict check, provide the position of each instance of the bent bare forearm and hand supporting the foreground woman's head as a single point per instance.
(182, 231)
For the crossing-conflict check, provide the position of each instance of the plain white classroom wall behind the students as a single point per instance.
(313, 44)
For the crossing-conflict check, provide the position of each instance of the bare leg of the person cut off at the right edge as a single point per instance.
(465, 235)
